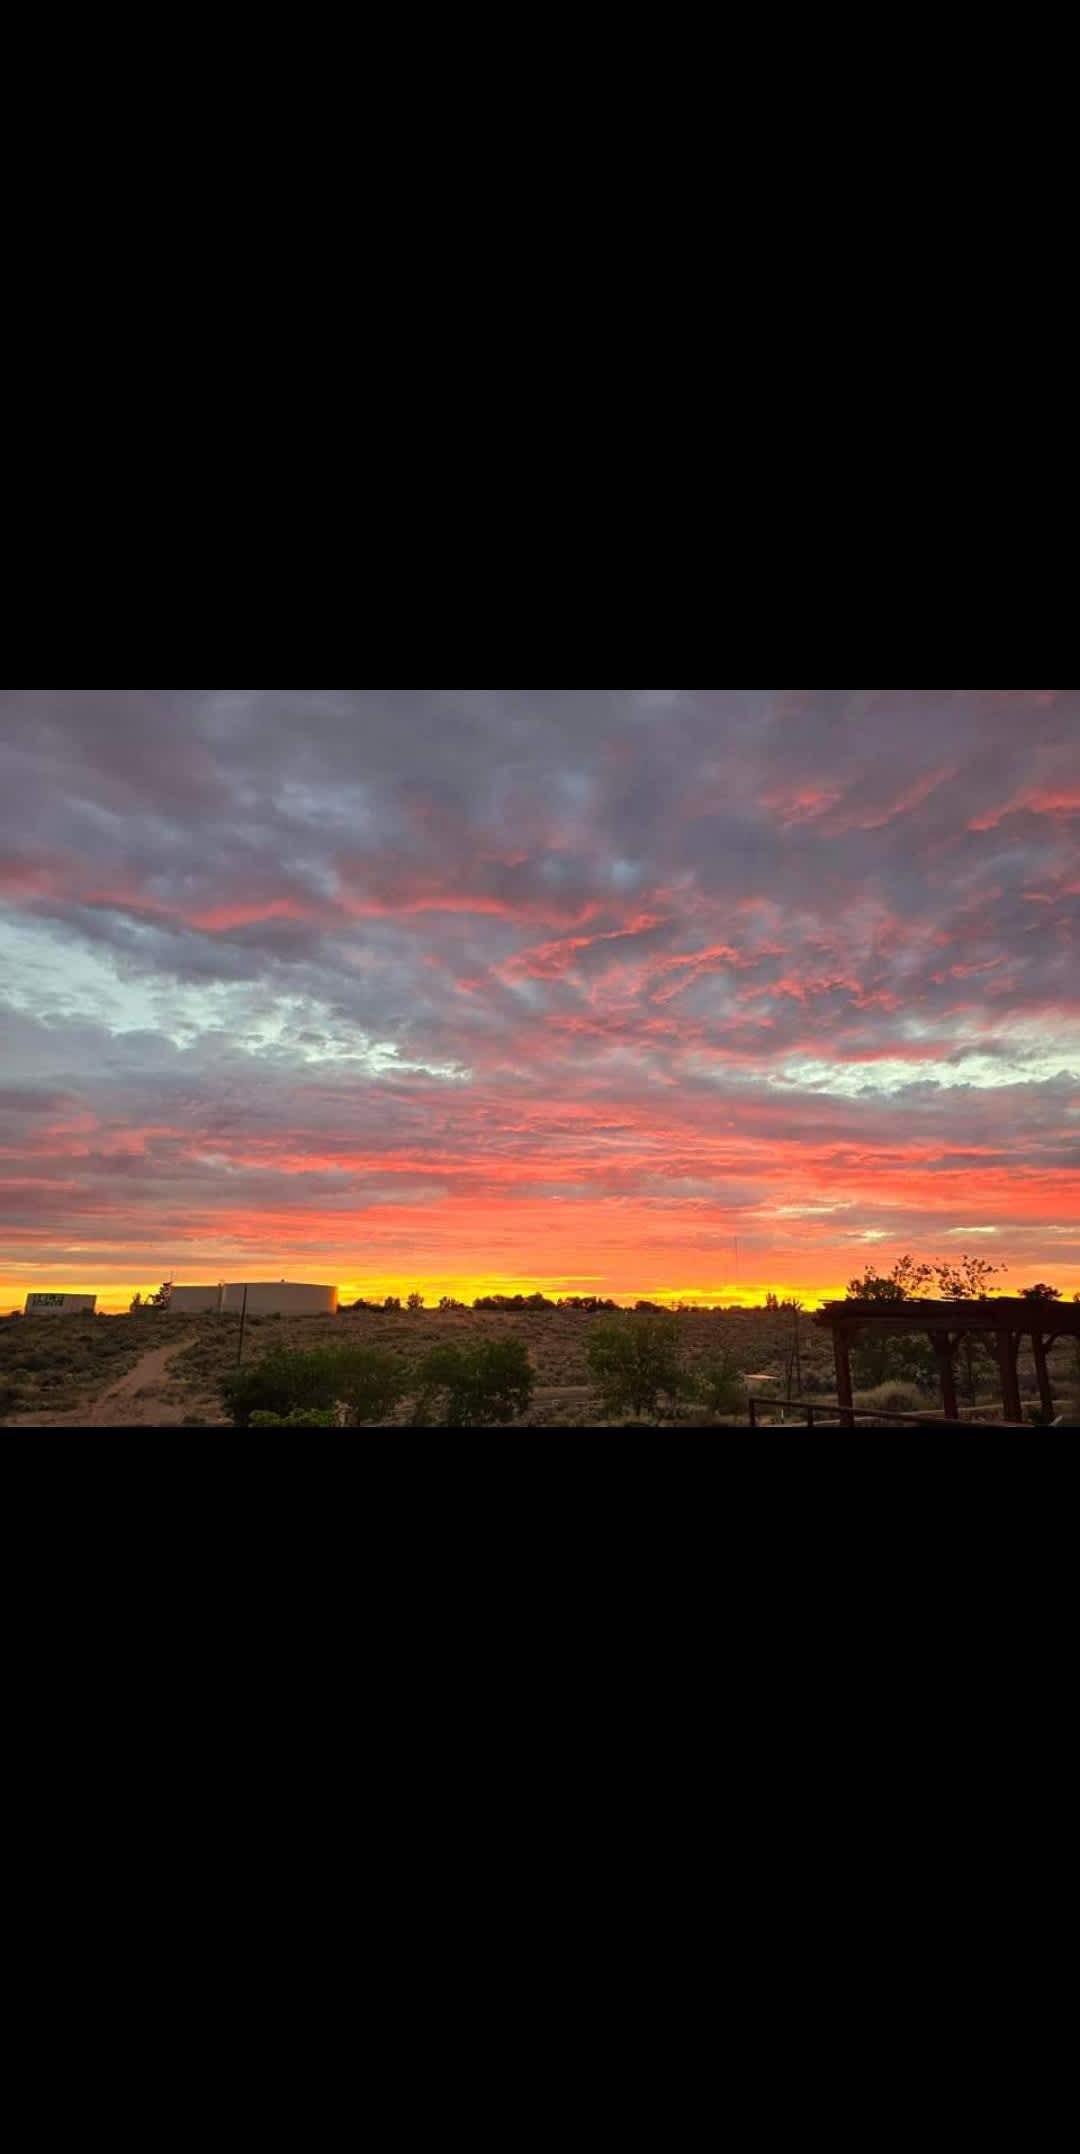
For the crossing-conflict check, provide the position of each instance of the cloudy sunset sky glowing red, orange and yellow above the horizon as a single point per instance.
(568, 990)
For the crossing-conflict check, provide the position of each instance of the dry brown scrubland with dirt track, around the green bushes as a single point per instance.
(161, 1371)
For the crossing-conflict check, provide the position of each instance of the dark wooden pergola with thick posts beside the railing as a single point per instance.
(1001, 1324)
